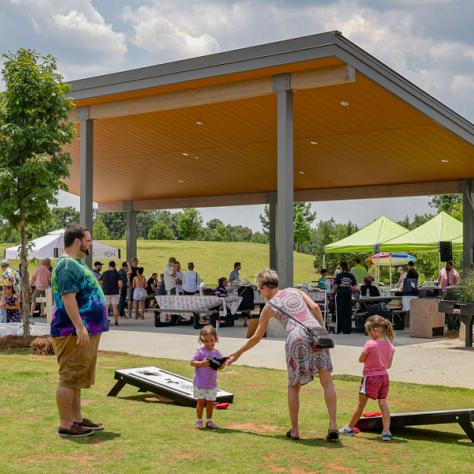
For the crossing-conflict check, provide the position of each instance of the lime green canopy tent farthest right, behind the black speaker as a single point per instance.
(426, 237)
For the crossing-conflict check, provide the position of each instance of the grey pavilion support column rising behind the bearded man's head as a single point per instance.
(86, 171)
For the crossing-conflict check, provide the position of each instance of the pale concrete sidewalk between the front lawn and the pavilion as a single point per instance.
(424, 361)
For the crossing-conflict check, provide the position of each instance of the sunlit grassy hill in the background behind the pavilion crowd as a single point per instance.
(211, 259)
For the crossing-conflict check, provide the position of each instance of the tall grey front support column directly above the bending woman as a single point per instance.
(284, 212)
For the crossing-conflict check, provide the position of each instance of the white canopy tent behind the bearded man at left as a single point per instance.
(52, 246)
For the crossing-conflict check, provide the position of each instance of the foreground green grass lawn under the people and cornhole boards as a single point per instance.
(144, 434)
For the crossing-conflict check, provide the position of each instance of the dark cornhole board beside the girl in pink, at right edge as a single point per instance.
(464, 417)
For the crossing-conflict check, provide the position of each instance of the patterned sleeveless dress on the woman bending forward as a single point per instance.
(303, 359)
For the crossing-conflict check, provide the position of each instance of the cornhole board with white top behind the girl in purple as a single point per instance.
(163, 383)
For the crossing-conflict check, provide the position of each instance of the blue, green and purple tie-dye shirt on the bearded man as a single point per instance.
(73, 276)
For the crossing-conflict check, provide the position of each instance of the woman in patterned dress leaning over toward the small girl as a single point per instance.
(303, 359)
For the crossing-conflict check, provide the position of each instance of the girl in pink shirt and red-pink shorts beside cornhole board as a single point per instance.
(377, 356)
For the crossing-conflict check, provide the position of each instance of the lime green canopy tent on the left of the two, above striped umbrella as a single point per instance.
(368, 239)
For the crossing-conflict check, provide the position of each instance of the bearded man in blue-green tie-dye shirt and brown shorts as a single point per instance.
(79, 318)
